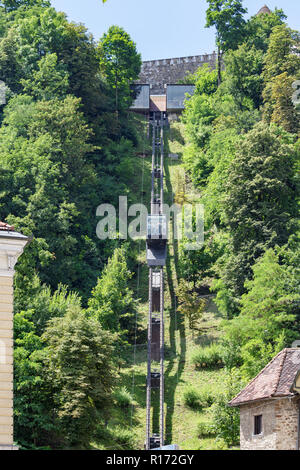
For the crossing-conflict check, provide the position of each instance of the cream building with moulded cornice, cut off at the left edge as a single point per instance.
(12, 244)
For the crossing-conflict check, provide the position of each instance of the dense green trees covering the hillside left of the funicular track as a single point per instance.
(63, 151)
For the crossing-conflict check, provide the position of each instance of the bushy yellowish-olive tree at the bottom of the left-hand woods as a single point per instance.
(81, 369)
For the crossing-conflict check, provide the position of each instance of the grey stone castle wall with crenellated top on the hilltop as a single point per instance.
(158, 73)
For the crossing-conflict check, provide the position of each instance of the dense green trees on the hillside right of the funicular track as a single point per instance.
(242, 153)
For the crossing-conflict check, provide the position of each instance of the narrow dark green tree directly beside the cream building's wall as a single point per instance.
(34, 426)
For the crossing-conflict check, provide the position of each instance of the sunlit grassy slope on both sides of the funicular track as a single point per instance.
(181, 422)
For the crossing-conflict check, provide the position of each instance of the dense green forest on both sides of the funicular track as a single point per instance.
(68, 143)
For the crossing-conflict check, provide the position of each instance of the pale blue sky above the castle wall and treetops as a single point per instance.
(162, 28)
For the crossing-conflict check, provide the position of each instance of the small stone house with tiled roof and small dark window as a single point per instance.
(270, 405)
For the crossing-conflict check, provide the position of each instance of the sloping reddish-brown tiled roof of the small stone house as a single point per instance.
(275, 380)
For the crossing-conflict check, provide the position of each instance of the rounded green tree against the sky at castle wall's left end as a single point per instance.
(120, 63)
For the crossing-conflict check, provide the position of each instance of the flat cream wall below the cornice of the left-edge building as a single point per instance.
(6, 360)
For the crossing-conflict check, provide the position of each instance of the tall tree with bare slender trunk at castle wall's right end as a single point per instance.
(227, 17)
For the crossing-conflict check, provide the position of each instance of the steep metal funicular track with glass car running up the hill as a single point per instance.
(156, 259)
